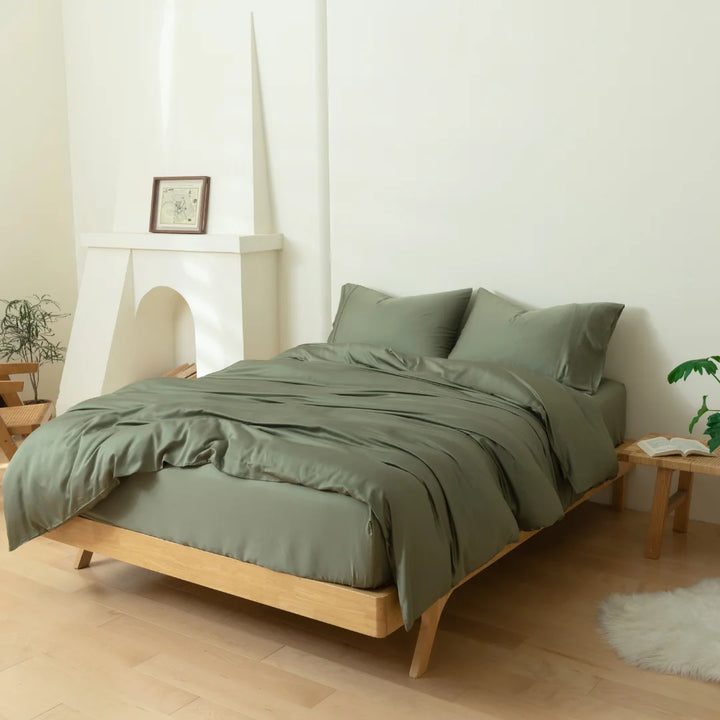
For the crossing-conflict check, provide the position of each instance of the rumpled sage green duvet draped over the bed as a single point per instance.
(450, 457)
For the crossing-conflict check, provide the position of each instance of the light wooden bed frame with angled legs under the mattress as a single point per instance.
(370, 612)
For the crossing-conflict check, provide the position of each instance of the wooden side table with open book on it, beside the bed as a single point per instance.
(663, 502)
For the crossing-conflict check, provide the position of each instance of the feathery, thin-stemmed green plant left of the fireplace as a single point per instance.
(26, 334)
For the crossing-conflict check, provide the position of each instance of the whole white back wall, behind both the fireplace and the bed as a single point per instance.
(556, 152)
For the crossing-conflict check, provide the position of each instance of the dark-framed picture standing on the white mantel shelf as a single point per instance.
(179, 204)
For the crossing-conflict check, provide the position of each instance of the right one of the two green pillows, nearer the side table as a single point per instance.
(565, 342)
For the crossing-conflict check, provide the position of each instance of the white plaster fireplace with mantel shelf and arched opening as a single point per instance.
(123, 326)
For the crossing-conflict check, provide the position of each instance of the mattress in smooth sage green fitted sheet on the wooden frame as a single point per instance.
(322, 535)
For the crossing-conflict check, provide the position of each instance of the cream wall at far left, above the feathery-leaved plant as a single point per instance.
(36, 241)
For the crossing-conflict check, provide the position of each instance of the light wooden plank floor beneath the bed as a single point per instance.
(115, 642)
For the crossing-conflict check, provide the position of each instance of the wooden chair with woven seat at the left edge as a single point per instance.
(16, 419)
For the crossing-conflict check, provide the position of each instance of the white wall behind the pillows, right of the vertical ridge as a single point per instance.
(563, 151)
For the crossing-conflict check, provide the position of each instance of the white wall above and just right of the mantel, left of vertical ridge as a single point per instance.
(164, 87)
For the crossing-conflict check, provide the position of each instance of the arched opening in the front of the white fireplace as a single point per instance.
(157, 337)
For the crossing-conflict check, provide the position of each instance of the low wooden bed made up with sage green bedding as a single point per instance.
(348, 482)
